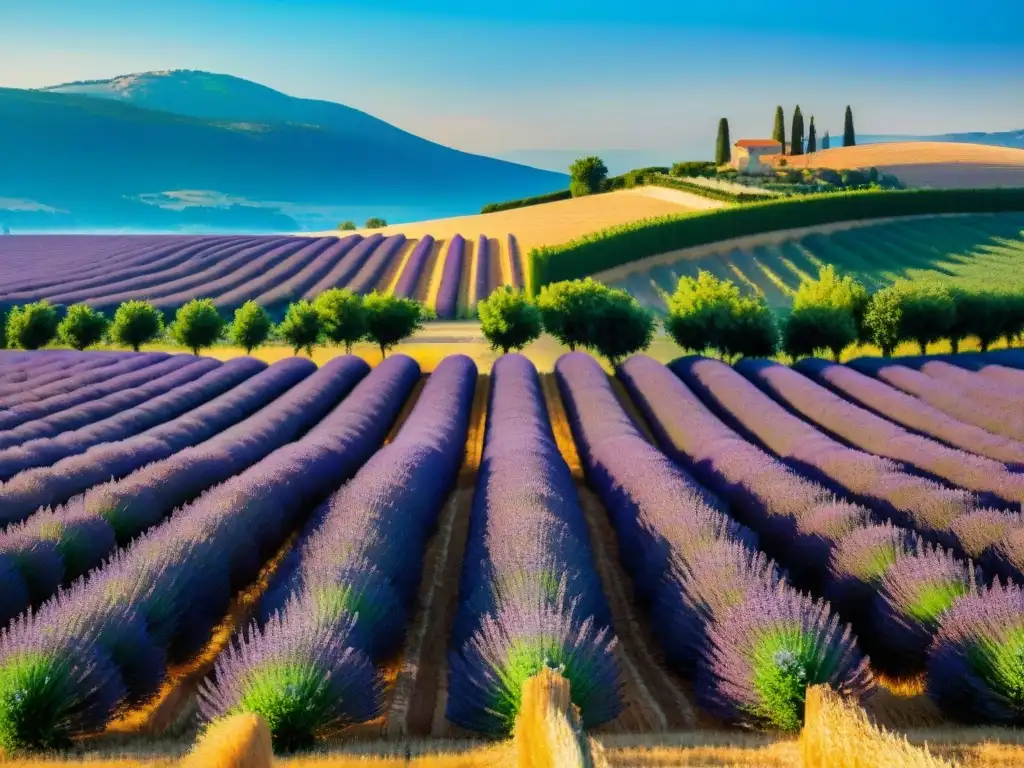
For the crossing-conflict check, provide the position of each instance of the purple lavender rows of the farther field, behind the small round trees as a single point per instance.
(231, 271)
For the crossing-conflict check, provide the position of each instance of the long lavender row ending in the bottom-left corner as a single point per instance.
(180, 577)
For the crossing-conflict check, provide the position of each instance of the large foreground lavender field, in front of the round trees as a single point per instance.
(360, 553)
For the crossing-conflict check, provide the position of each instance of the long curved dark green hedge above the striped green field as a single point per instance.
(620, 245)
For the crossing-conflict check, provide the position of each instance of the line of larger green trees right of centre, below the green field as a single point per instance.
(829, 316)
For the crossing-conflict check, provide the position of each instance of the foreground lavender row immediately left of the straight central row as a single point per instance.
(354, 581)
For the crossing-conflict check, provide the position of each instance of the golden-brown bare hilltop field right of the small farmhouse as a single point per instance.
(937, 164)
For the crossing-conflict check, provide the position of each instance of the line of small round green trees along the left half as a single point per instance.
(337, 317)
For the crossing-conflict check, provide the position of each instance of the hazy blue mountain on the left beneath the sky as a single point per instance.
(193, 151)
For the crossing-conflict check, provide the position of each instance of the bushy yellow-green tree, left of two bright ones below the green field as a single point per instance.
(708, 313)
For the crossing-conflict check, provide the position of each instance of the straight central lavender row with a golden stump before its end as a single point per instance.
(530, 594)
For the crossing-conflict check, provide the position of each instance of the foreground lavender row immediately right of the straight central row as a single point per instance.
(723, 612)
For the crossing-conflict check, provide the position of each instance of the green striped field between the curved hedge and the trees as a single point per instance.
(975, 251)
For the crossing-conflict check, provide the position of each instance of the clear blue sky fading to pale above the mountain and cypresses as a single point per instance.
(499, 76)
